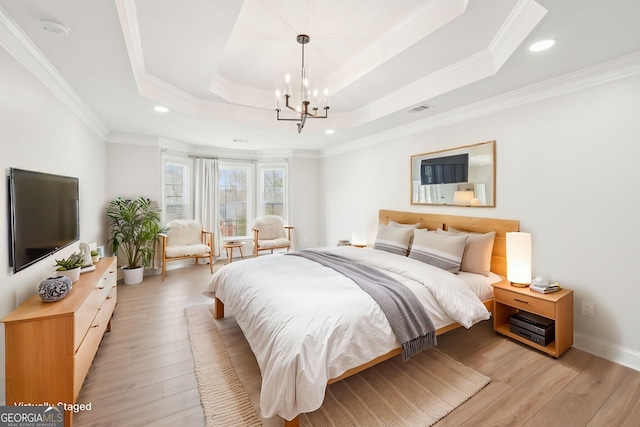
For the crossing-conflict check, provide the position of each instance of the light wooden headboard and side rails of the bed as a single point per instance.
(431, 222)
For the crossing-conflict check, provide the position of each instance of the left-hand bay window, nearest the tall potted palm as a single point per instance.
(177, 195)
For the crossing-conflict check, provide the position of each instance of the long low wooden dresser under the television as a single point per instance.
(50, 345)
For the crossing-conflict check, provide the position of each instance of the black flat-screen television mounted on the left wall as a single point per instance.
(43, 215)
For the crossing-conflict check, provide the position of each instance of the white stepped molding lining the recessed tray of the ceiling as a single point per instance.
(244, 102)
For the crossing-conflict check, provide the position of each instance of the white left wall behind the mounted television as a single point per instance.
(38, 132)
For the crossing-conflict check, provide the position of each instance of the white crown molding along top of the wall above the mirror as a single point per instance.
(620, 68)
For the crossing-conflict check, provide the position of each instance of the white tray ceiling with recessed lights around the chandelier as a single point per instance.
(216, 64)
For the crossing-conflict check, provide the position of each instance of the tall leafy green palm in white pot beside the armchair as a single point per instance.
(133, 226)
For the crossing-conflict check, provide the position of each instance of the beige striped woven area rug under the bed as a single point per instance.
(418, 392)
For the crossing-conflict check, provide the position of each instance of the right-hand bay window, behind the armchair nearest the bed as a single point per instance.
(272, 196)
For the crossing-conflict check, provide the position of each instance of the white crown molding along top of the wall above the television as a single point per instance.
(16, 42)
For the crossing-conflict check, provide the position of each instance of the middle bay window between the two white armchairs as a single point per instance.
(233, 200)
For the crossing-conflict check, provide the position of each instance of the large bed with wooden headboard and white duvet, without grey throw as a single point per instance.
(310, 326)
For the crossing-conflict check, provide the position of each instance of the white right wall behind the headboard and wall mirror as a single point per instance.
(567, 168)
